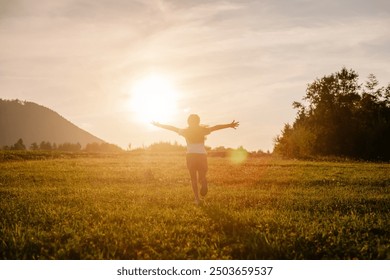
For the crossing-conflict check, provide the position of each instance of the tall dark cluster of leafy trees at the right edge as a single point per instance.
(340, 117)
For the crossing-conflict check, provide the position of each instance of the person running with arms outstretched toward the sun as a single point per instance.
(196, 153)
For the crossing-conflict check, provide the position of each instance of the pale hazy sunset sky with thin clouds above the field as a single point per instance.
(246, 60)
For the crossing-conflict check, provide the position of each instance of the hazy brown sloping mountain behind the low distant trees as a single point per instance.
(35, 123)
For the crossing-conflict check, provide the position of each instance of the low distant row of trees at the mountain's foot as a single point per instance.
(66, 147)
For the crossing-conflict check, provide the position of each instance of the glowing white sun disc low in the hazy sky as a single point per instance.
(153, 99)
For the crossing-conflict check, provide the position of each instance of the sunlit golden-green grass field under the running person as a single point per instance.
(140, 206)
